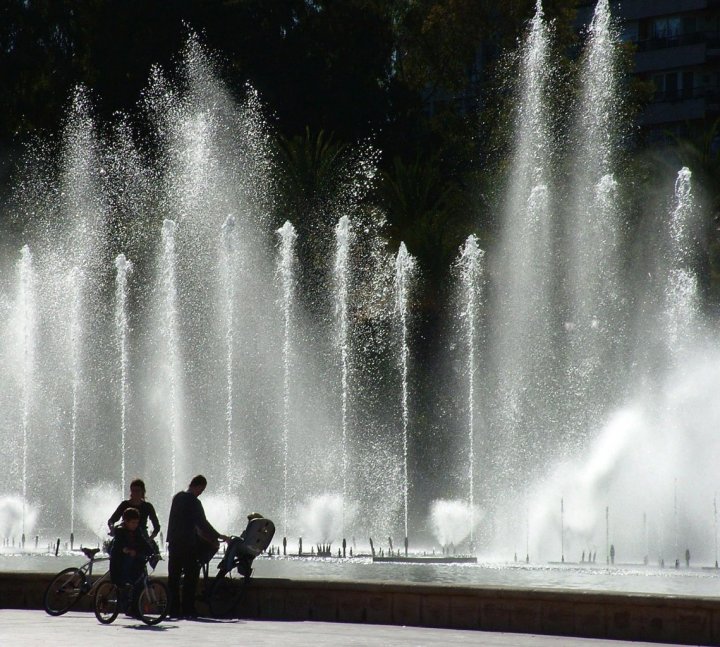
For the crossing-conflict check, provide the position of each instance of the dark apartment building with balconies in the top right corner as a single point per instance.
(678, 49)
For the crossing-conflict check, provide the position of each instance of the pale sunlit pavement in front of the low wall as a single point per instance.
(30, 628)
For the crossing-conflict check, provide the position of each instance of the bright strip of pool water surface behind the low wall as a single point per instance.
(695, 582)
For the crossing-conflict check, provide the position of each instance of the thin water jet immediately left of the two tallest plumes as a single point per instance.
(470, 266)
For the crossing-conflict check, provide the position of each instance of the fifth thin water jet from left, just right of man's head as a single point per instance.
(229, 235)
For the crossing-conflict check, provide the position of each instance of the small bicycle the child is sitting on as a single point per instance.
(150, 605)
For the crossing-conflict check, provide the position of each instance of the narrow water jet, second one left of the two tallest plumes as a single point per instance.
(404, 270)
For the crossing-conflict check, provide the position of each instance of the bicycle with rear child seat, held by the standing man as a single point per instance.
(224, 591)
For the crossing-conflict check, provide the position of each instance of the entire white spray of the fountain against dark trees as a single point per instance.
(280, 362)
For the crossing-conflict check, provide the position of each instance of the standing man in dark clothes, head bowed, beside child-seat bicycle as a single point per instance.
(187, 521)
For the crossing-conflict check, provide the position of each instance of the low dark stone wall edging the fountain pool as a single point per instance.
(653, 618)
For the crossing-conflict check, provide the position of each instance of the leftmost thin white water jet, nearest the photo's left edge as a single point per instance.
(26, 311)
